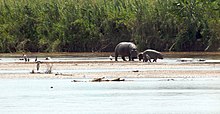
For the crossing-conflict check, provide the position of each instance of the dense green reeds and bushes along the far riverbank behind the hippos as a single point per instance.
(99, 25)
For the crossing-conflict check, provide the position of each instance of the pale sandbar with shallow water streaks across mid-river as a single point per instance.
(136, 69)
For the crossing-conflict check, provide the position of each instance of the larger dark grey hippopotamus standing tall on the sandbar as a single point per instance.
(124, 49)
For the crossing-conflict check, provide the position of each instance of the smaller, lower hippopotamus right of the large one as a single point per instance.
(149, 53)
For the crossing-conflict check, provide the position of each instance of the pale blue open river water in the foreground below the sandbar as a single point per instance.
(152, 95)
